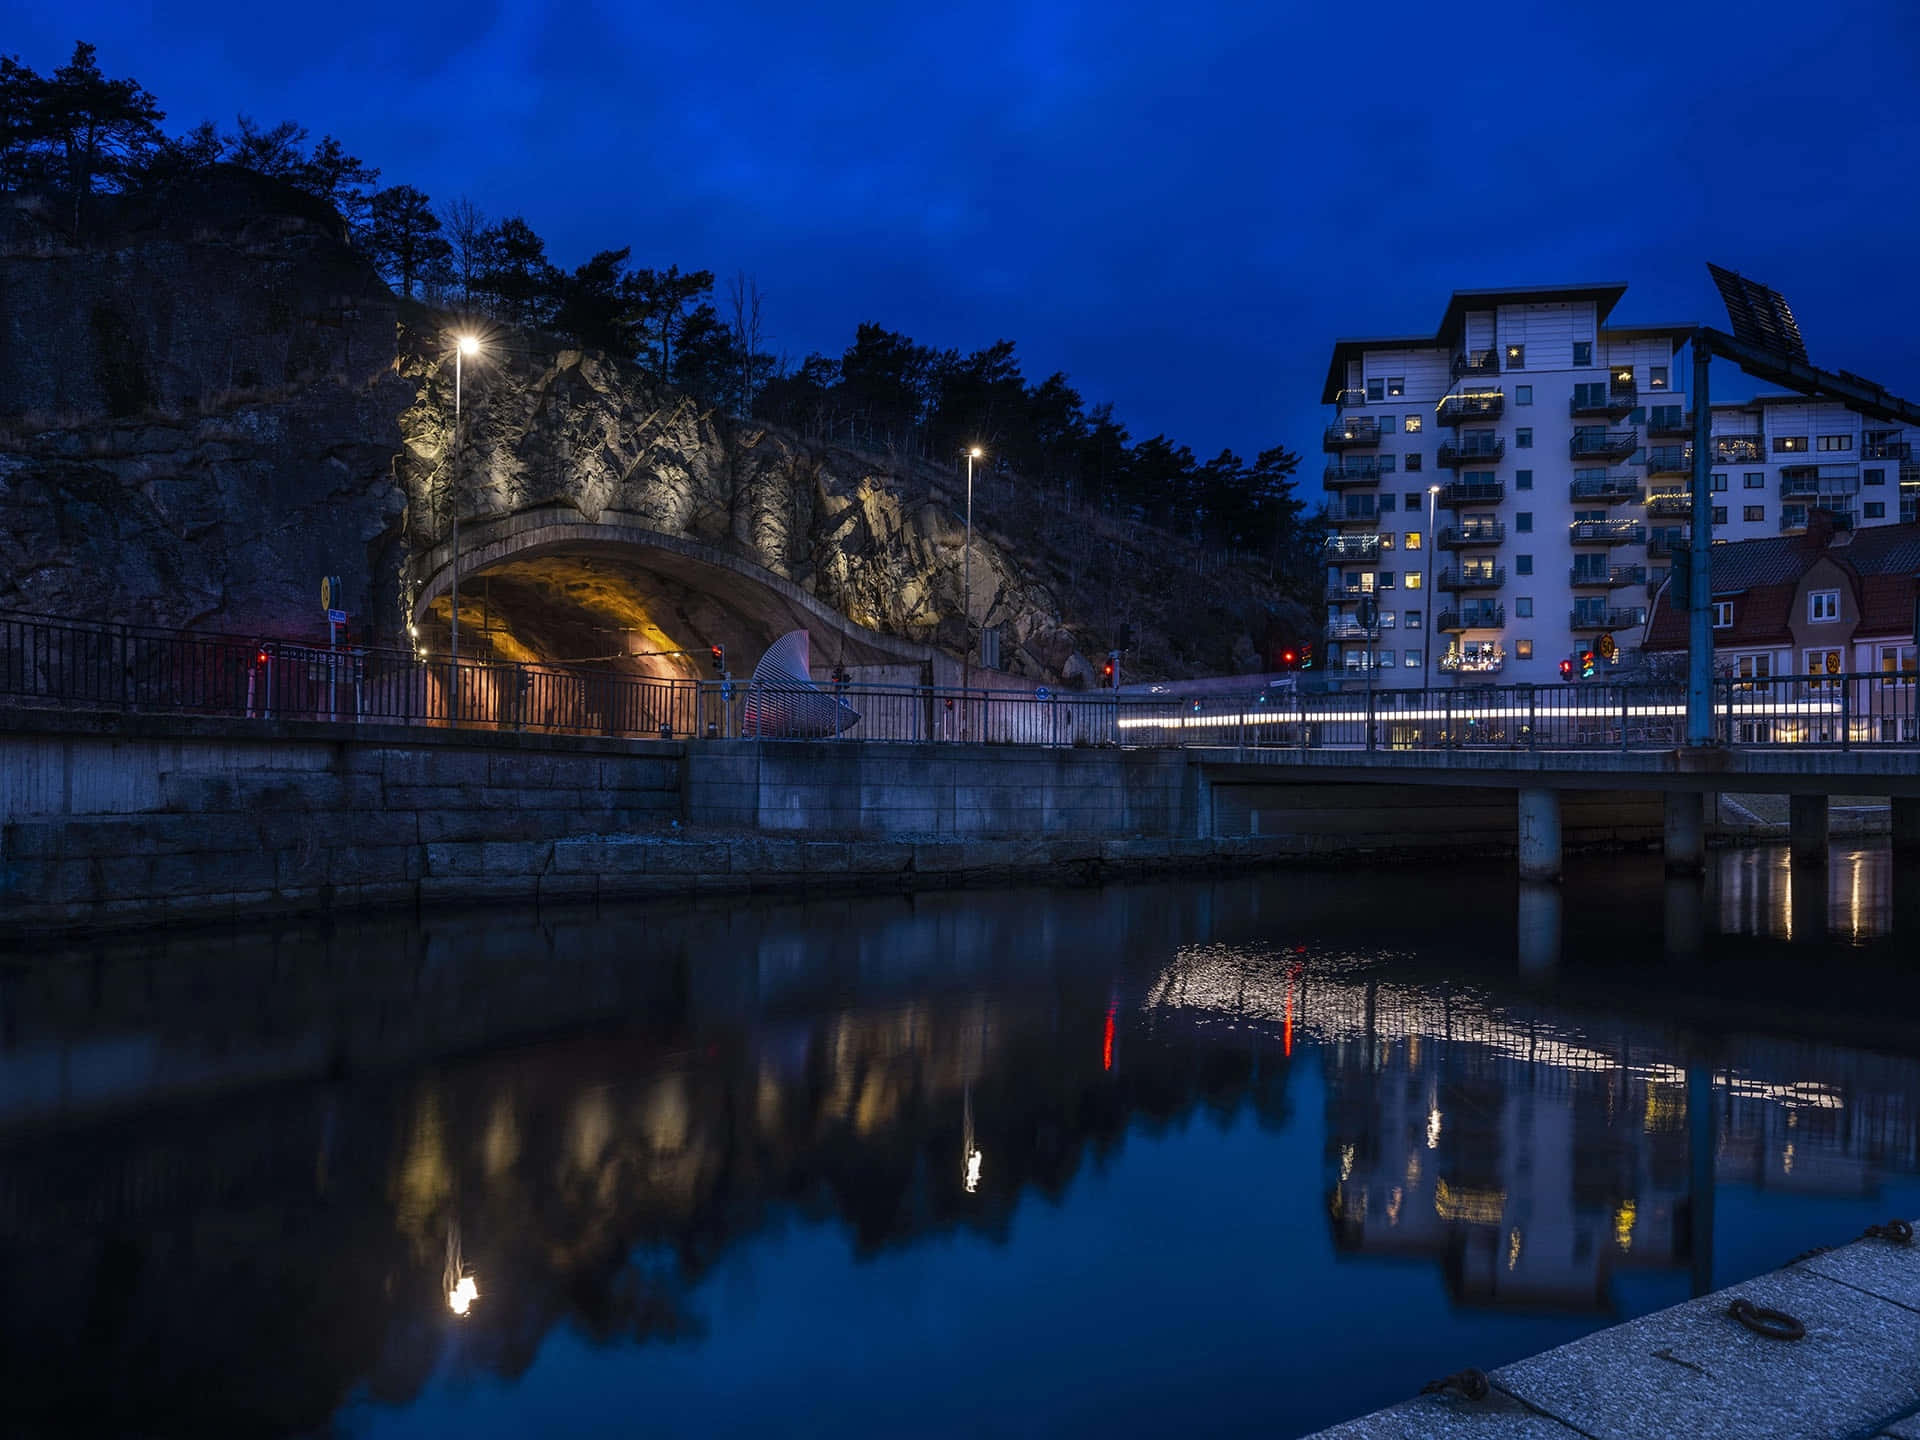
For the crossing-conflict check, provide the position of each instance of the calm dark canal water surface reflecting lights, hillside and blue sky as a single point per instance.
(256, 1184)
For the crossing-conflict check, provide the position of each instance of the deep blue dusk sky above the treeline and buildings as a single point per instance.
(1180, 206)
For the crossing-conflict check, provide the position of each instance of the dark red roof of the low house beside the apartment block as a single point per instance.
(1762, 575)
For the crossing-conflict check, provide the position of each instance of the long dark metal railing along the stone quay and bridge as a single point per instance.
(93, 667)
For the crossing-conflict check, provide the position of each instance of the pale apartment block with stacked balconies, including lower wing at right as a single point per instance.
(1510, 491)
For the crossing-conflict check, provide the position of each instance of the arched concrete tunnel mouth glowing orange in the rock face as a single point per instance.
(558, 588)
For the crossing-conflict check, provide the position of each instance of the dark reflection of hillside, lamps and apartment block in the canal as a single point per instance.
(850, 1070)
